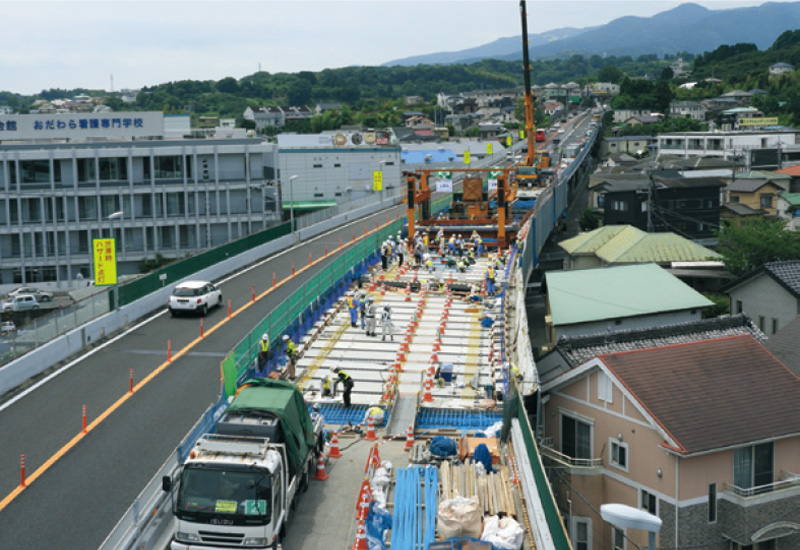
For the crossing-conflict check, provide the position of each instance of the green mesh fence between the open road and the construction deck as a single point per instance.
(316, 292)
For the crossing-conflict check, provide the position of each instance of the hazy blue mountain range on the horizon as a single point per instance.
(687, 28)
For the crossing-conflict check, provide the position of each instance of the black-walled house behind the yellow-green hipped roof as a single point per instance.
(687, 206)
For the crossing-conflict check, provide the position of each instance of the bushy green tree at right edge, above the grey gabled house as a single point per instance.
(749, 243)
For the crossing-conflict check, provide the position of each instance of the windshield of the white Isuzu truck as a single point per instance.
(242, 495)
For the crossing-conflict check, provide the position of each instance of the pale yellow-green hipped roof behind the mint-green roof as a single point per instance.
(624, 244)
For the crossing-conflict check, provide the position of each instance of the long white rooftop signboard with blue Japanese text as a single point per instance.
(79, 126)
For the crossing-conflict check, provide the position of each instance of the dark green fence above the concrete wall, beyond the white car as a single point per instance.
(175, 271)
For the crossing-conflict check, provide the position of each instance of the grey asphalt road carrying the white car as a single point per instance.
(77, 501)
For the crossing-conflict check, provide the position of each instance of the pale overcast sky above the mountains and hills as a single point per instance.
(72, 44)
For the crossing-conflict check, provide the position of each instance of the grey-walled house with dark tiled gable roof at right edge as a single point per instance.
(770, 295)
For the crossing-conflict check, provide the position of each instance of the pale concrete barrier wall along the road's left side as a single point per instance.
(61, 348)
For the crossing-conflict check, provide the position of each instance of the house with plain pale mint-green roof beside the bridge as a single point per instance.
(588, 301)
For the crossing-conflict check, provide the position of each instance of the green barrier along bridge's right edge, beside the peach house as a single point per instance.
(514, 408)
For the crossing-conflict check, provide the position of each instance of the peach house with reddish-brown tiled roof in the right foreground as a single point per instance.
(705, 435)
